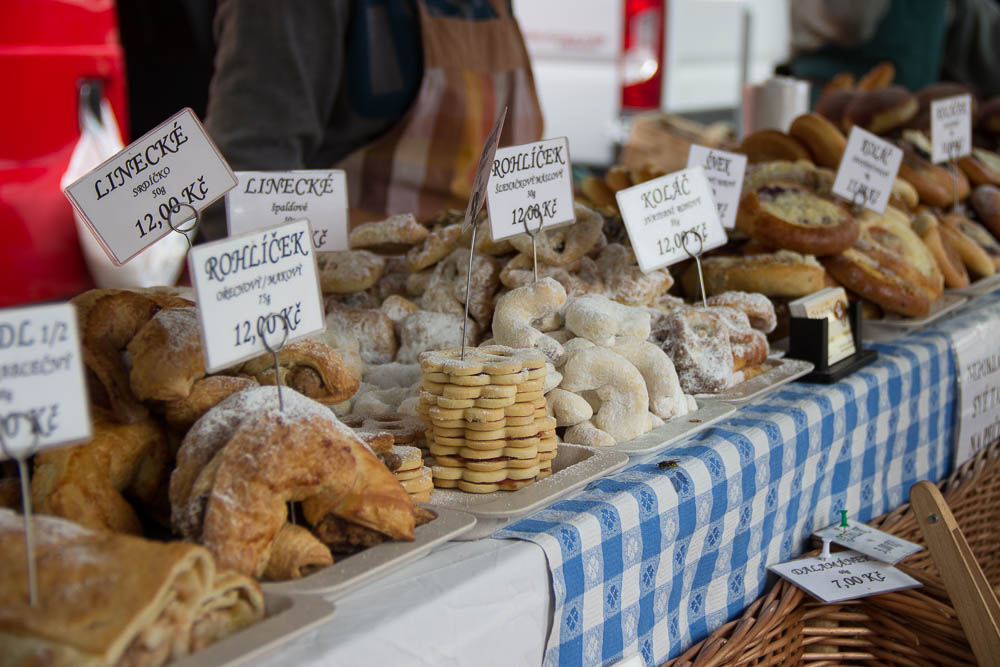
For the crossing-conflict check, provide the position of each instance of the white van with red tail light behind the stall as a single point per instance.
(595, 61)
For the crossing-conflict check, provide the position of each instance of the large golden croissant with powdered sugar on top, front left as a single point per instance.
(246, 458)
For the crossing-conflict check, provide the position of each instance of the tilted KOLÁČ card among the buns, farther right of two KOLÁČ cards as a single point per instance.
(868, 170)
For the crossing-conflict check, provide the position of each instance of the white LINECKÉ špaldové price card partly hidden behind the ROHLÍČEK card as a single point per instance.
(268, 198)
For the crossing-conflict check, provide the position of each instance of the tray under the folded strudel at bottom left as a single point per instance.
(287, 617)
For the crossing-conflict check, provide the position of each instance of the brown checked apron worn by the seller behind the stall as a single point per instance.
(427, 161)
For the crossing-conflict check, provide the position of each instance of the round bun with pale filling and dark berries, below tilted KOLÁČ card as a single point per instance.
(787, 215)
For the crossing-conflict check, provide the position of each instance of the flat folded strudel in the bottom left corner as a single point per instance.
(107, 599)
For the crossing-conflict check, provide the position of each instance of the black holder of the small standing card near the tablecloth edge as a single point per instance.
(808, 340)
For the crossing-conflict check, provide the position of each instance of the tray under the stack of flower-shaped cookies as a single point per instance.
(573, 467)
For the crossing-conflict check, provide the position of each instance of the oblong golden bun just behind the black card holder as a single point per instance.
(779, 274)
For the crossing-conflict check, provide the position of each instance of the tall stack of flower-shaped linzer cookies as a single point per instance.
(485, 418)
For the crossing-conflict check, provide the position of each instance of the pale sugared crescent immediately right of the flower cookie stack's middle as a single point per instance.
(624, 410)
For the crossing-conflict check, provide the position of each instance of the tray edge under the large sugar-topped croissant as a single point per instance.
(348, 573)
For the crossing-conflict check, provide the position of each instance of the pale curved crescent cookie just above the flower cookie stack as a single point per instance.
(517, 312)
